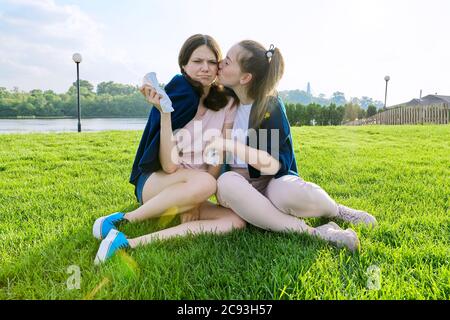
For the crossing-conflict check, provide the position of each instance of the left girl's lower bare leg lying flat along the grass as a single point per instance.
(214, 219)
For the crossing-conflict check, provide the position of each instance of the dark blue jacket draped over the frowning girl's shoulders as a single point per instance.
(185, 104)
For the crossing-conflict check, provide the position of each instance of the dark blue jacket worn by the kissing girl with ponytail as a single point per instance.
(275, 118)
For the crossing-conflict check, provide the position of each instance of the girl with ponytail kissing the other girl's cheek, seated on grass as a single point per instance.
(262, 185)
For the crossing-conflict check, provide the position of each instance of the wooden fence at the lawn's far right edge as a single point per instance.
(433, 114)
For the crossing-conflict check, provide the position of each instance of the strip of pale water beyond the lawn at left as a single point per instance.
(70, 125)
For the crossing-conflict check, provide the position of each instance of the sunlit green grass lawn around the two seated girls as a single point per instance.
(53, 187)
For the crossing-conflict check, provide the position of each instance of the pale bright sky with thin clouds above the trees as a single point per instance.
(345, 45)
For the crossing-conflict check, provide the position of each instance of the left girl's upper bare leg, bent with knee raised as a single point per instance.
(177, 192)
